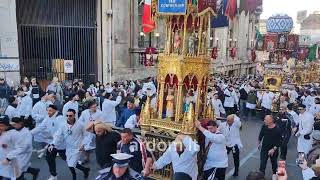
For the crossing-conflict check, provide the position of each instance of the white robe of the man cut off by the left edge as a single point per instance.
(7, 145)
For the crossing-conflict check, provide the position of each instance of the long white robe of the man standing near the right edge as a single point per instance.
(306, 122)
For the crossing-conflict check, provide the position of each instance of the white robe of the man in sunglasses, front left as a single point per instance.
(73, 137)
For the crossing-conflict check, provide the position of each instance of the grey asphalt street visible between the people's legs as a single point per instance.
(249, 158)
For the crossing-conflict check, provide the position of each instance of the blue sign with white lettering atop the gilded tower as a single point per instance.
(172, 6)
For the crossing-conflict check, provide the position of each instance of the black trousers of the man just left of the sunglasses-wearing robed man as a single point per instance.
(51, 160)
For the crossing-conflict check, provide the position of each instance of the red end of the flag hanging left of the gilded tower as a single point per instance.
(148, 24)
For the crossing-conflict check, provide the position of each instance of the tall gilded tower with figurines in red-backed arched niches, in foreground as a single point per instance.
(183, 71)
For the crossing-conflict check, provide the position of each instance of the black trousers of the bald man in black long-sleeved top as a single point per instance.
(264, 159)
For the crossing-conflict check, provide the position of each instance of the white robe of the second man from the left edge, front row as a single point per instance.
(22, 149)
